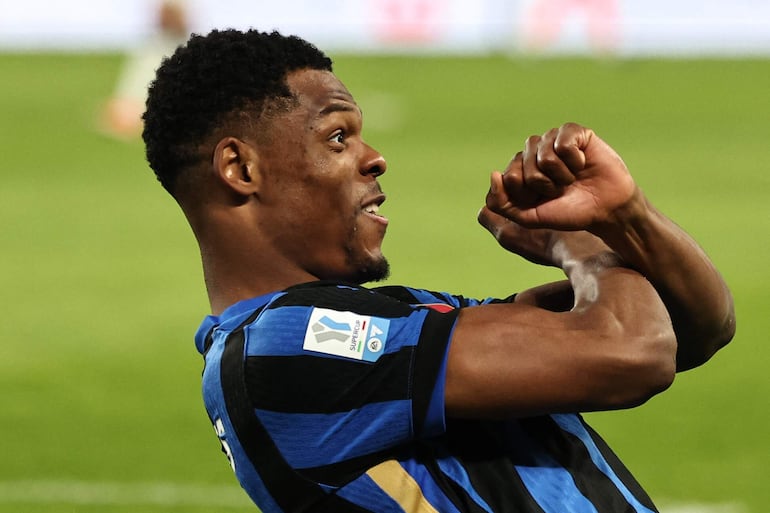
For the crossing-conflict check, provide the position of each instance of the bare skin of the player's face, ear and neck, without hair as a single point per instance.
(268, 204)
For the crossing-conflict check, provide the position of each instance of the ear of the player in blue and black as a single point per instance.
(236, 164)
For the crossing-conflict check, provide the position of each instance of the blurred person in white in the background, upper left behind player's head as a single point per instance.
(122, 113)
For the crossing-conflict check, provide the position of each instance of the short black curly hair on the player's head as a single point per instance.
(207, 80)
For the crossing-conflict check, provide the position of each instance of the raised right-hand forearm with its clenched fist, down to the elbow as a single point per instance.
(569, 179)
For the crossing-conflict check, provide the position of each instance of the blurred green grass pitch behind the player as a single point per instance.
(100, 409)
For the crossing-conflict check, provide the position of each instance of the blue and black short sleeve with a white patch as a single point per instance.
(339, 373)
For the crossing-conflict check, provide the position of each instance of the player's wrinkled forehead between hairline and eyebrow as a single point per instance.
(319, 91)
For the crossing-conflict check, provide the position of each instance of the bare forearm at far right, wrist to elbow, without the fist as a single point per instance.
(697, 298)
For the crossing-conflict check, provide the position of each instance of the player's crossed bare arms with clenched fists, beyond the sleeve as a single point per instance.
(642, 298)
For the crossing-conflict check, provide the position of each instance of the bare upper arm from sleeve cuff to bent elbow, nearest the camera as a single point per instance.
(520, 360)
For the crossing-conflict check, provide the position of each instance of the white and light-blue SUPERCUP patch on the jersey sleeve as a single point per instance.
(346, 334)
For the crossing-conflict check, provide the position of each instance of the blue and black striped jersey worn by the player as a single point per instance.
(329, 397)
